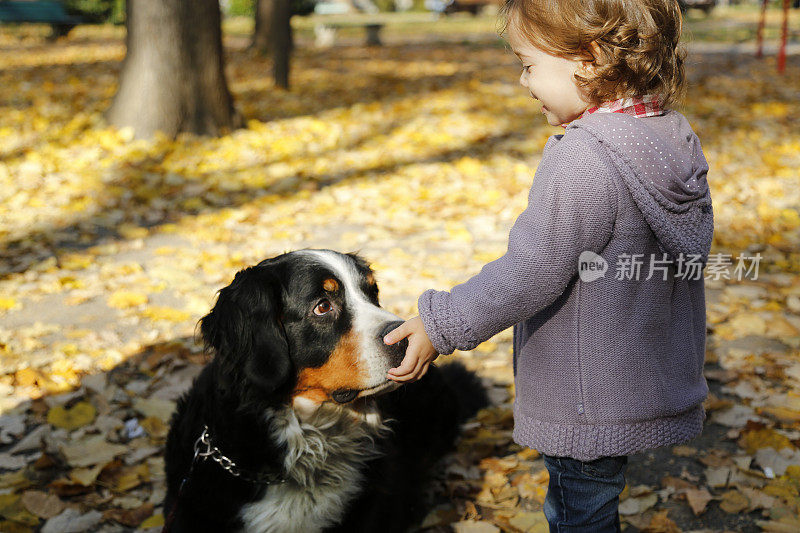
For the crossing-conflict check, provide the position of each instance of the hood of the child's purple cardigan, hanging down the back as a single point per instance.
(663, 166)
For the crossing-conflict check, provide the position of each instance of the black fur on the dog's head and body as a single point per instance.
(262, 337)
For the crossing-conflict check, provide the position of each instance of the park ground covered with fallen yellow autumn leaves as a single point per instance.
(418, 155)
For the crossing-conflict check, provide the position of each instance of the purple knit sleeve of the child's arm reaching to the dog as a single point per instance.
(571, 209)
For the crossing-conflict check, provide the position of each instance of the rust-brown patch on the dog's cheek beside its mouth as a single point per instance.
(342, 370)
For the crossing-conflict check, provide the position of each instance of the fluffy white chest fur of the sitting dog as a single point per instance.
(325, 453)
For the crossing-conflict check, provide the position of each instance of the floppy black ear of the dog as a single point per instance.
(244, 330)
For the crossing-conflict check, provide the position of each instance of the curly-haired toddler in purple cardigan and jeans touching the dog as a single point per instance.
(609, 320)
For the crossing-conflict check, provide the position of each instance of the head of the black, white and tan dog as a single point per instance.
(305, 326)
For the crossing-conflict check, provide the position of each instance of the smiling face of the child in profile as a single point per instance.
(549, 79)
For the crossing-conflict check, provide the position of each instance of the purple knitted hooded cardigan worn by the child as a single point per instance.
(606, 366)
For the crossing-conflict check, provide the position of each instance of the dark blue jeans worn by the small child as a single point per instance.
(583, 497)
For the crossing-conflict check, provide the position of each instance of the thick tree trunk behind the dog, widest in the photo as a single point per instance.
(173, 78)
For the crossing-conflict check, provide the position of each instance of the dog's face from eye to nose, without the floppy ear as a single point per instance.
(342, 334)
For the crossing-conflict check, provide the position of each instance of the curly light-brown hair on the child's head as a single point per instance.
(636, 43)
